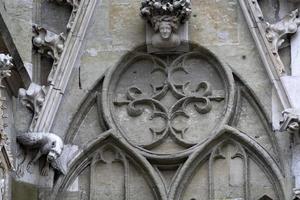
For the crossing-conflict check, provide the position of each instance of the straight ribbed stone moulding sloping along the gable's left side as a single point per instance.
(65, 66)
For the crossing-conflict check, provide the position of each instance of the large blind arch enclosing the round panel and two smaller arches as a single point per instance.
(177, 128)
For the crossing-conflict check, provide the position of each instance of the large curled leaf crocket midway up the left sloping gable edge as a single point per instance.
(50, 44)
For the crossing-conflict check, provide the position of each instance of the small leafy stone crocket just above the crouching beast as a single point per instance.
(33, 98)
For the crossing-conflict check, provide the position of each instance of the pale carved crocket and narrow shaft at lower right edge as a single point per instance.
(291, 124)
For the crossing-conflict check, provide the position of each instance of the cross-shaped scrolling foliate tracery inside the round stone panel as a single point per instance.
(199, 97)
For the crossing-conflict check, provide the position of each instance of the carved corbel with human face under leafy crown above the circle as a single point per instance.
(165, 18)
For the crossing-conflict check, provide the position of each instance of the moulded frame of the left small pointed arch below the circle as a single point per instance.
(90, 155)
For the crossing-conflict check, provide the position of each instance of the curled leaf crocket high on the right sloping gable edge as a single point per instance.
(276, 33)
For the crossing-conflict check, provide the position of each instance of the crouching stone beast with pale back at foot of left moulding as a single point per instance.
(47, 144)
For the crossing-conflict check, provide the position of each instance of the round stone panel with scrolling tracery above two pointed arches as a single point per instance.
(166, 105)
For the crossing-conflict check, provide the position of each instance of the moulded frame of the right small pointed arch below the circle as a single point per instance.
(254, 150)
